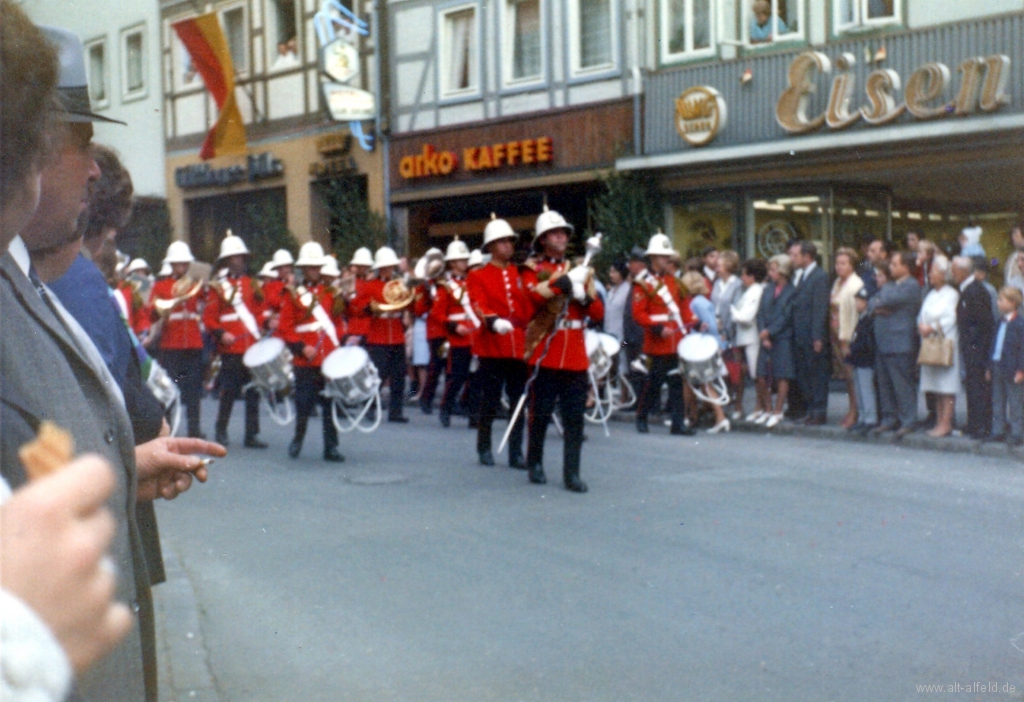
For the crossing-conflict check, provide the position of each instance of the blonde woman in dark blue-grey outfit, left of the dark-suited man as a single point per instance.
(776, 332)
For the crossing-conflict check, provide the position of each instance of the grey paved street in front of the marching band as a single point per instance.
(739, 567)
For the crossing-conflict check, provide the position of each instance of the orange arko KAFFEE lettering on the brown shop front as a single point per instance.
(517, 154)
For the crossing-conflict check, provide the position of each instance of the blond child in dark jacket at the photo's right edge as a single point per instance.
(1007, 373)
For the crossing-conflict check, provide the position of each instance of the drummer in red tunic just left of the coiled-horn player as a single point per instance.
(308, 328)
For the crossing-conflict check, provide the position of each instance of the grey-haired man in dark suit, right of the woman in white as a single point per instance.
(977, 330)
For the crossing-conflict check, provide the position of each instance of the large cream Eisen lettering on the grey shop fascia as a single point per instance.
(983, 87)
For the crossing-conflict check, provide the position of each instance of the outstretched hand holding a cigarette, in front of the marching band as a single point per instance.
(166, 466)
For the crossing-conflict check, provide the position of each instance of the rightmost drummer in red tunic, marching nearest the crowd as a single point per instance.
(659, 308)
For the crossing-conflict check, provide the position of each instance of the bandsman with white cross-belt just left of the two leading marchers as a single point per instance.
(453, 312)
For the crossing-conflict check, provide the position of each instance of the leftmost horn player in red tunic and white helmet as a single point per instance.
(181, 346)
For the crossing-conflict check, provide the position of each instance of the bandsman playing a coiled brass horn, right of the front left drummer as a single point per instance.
(387, 299)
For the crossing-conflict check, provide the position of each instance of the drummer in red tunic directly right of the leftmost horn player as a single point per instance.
(234, 317)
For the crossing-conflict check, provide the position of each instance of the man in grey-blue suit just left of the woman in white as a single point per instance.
(895, 309)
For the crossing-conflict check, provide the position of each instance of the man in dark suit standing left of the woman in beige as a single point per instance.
(810, 344)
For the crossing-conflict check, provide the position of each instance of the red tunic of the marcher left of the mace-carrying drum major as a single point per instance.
(496, 292)
